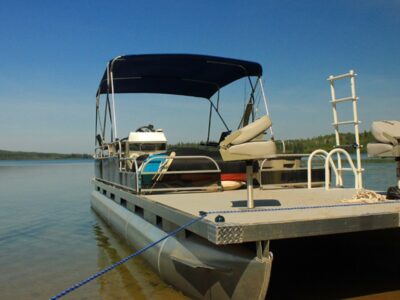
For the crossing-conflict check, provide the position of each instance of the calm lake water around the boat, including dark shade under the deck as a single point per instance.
(51, 239)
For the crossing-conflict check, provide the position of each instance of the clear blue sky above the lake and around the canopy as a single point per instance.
(54, 53)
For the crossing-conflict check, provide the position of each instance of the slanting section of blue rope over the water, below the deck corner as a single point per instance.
(113, 266)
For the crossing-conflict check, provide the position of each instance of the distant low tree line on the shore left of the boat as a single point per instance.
(21, 155)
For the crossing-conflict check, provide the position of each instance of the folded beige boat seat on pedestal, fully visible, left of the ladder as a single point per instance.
(246, 144)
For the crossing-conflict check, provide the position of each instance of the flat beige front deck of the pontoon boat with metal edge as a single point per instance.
(278, 214)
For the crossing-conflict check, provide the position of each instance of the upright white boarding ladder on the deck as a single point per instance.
(336, 123)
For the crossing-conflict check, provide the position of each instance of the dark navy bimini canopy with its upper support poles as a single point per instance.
(178, 74)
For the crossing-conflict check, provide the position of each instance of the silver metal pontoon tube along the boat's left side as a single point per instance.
(192, 264)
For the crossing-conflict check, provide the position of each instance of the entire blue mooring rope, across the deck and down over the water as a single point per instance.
(203, 214)
